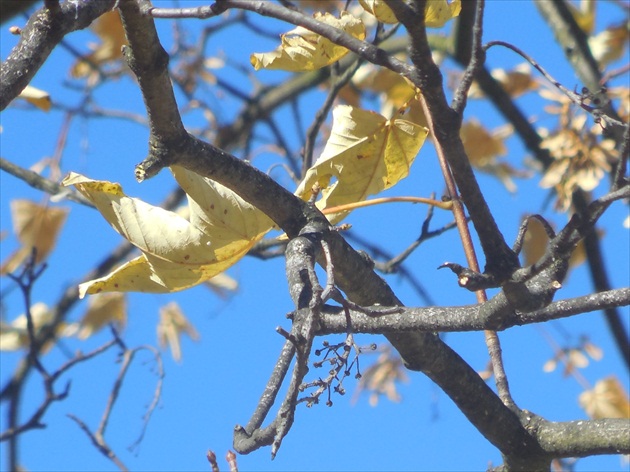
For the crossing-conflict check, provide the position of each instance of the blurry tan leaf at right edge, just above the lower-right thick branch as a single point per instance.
(606, 400)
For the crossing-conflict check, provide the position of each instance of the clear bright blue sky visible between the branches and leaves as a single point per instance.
(222, 376)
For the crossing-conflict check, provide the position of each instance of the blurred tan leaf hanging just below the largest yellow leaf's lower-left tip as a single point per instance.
(103, 309)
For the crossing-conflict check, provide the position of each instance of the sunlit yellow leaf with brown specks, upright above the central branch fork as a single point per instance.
(365, 154)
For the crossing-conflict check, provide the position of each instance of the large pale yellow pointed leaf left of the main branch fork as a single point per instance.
(177, 252)
